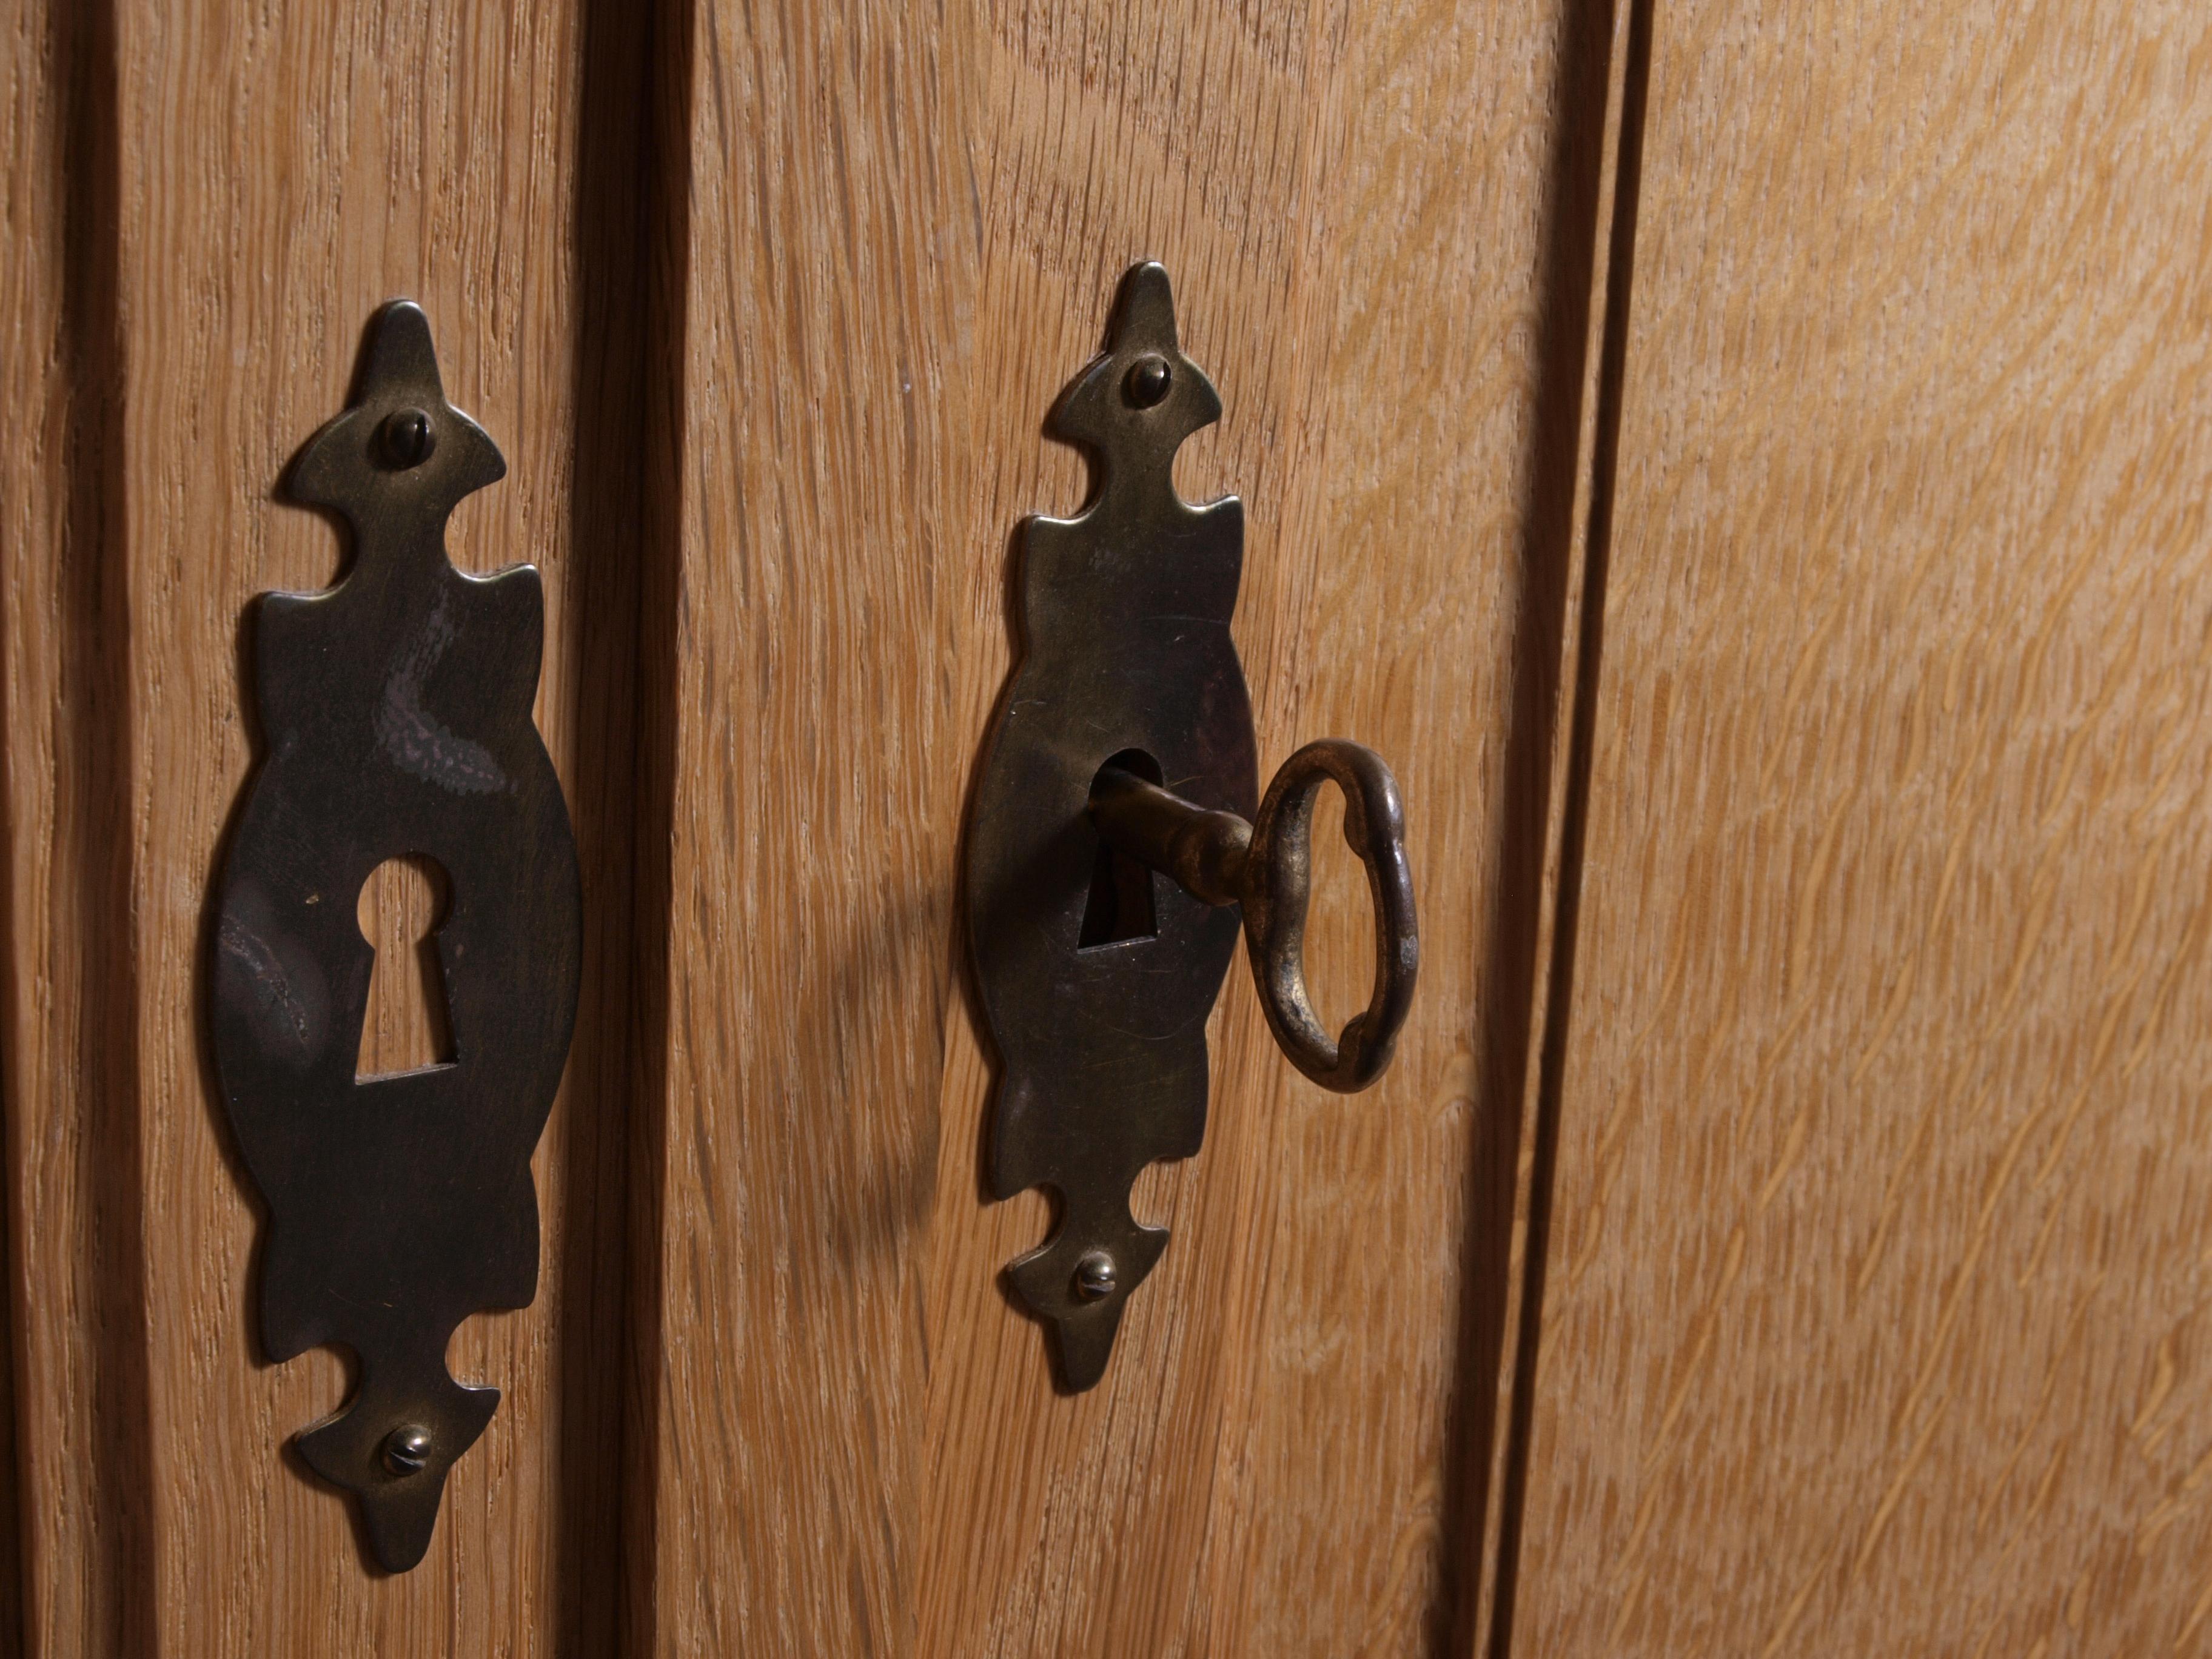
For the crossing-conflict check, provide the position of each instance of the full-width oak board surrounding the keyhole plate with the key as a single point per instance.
(906, 229)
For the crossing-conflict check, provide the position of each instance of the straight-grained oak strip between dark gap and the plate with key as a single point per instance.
(813, 813)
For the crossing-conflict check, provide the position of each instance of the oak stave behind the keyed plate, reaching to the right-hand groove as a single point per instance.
(1357, 209)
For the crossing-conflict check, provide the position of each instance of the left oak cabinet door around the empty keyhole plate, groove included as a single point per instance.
(244, 191)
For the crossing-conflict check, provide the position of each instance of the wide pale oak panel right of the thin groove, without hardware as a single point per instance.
(1879, 1269)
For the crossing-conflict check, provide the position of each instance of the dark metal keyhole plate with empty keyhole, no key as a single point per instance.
(397, 711)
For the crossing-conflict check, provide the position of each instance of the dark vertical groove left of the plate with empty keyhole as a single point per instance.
(94, 901)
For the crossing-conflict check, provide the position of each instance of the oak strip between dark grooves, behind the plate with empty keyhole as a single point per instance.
(437, 152)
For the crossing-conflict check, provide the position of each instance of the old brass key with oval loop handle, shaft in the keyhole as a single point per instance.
(1269, 868)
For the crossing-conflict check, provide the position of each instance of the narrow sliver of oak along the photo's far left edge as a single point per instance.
(74, 1335)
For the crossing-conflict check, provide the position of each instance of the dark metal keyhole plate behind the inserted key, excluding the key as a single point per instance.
(1125, 654)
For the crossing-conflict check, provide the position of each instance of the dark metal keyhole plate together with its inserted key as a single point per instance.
(1125, 747)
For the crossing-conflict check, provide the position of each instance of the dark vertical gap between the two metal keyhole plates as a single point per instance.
(618, 472)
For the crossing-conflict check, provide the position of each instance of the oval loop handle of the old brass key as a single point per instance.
(1277, 881)
